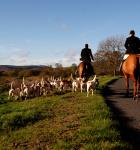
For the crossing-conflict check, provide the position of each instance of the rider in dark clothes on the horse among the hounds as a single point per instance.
(86, 56)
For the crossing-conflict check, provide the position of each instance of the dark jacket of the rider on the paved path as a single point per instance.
(132, 45)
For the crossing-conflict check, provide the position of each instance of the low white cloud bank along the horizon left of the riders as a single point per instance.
(21, 57)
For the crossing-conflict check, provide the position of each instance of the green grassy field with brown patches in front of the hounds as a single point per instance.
(70, 121)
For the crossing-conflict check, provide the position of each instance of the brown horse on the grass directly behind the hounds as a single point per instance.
(84, 70)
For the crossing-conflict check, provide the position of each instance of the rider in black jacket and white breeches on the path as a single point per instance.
(132, 45)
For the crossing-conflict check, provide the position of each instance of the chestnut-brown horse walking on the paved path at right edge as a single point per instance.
(131, 69)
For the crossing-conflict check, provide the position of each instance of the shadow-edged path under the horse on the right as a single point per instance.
(125, 110)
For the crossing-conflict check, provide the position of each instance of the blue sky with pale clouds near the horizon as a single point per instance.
(45, 32)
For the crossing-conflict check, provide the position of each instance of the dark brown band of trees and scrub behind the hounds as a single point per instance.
(46, 71)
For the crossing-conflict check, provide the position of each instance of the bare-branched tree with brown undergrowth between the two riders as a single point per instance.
(109, 55)
